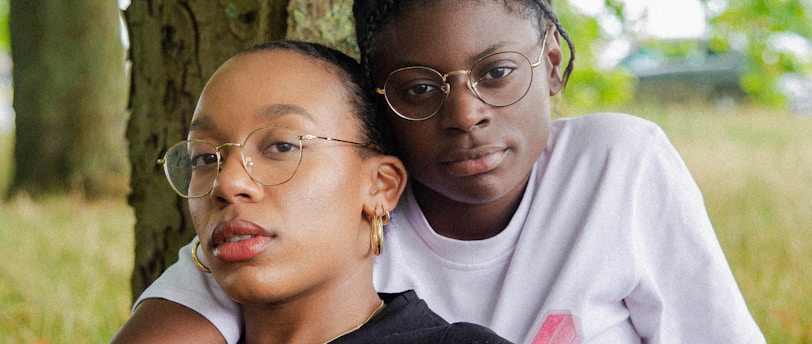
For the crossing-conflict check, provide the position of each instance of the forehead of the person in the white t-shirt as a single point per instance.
(439, 33)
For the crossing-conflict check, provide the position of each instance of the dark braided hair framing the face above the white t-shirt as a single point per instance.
(371, 15)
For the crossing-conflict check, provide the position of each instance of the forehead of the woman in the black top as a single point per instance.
(243, 89)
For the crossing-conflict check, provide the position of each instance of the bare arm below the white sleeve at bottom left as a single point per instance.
(163, 321)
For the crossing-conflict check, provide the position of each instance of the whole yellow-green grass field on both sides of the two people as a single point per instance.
(65, 276)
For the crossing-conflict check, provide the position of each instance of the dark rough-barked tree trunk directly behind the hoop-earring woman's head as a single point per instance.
(175, 46)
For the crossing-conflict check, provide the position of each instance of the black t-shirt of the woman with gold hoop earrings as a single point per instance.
(407, 319)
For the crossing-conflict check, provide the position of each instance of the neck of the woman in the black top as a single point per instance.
(317, 317)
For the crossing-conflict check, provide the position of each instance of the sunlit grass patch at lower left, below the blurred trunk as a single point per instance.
(65, 273)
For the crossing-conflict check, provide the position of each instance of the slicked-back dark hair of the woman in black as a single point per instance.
(351, 75)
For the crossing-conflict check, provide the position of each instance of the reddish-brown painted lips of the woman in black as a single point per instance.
(239, 240)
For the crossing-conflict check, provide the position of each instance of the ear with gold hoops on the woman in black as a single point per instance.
(388, 182)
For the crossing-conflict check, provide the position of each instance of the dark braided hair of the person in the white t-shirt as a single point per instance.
(367, 22)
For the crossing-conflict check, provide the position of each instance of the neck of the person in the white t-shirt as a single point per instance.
(467, 221)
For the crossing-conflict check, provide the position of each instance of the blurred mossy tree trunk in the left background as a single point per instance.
(69, 96)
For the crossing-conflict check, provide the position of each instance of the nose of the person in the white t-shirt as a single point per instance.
(463, 110)
